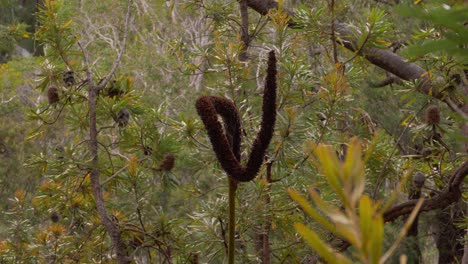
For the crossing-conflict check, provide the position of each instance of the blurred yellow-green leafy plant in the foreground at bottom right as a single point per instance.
(359, 221)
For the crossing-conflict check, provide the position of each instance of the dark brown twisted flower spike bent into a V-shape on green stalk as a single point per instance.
(226, 142)
